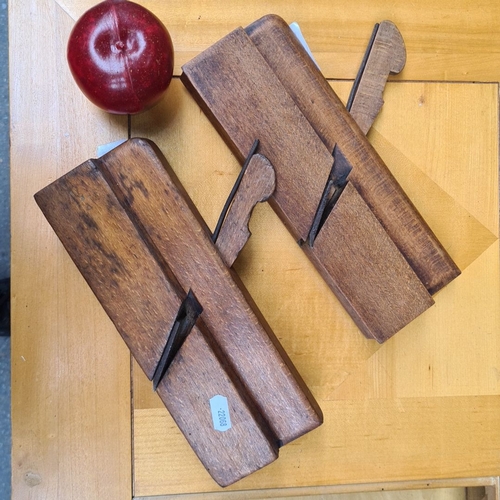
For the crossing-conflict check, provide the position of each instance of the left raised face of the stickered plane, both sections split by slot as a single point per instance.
(142, 299)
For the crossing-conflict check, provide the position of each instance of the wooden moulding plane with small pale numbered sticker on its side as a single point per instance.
(151, 261)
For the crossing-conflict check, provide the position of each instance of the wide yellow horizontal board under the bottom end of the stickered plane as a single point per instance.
(396, 435)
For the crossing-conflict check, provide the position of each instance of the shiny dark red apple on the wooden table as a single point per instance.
(121, 56)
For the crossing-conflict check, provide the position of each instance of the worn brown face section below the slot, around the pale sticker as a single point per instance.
(199, 372)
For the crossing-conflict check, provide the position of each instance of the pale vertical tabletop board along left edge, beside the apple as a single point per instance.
(70, 368)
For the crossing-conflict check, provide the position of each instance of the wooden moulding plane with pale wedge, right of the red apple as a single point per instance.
(333, 192)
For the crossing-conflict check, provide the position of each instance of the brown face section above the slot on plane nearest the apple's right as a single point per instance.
(233, 68)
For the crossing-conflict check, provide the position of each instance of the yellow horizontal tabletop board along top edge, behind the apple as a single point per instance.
(450, 40)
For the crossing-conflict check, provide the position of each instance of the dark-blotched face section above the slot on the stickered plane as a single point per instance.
(114, 260)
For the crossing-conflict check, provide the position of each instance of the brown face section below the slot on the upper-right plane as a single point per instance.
(354, 265)
